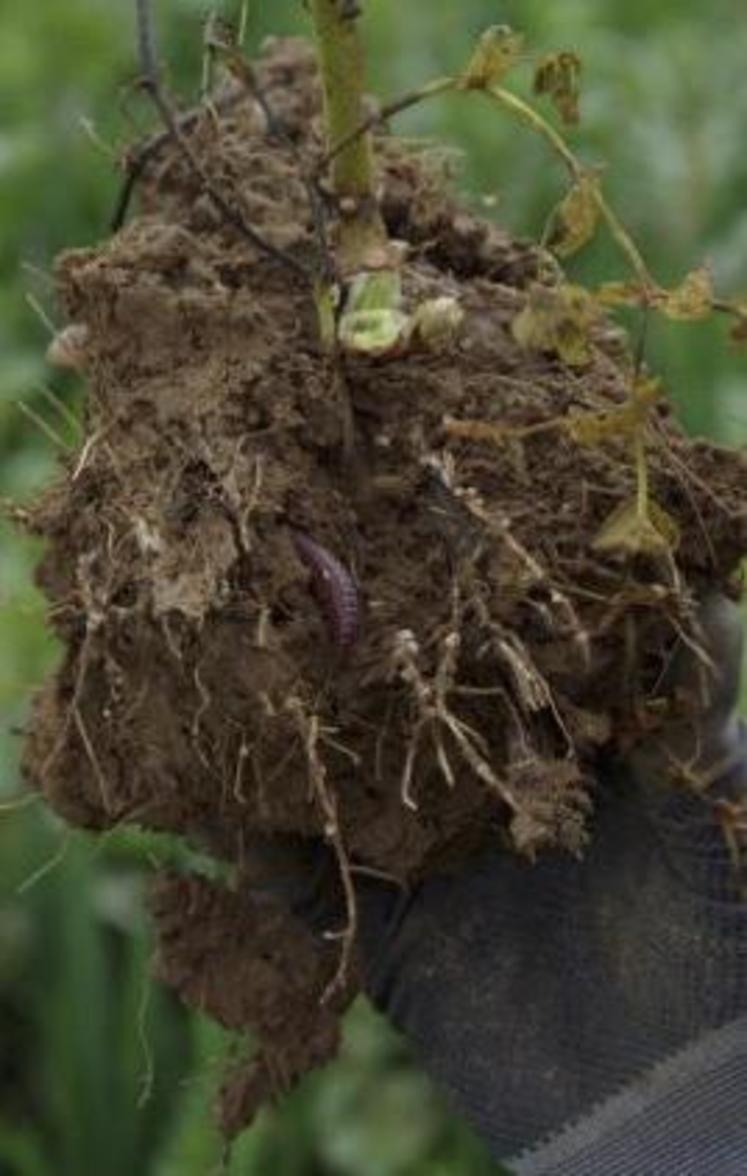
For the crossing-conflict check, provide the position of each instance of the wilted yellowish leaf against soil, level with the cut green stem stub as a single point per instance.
(558, 319)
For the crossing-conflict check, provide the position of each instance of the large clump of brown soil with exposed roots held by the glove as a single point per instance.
(203, 690)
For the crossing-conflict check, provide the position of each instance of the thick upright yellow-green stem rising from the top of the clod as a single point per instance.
(363, 235)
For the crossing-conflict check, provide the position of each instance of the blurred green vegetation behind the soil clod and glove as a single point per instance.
(101, 1071)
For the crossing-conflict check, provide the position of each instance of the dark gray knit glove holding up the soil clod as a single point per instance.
(590, 1018)
